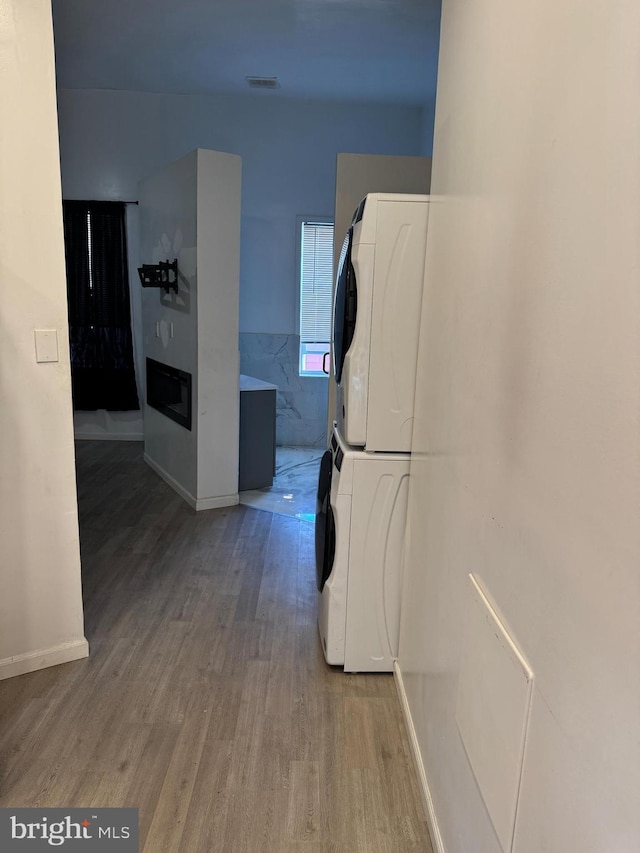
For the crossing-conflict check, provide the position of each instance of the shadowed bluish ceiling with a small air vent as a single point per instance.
(380, 51)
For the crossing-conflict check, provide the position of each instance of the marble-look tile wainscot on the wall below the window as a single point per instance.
(301, 414)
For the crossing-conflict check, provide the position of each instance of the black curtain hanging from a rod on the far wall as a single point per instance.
(102, 368)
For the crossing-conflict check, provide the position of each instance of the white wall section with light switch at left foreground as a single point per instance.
(41, 619)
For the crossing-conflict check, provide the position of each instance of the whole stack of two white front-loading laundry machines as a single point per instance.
(364, 475)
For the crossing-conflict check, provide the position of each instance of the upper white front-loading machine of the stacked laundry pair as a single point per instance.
(376, 320)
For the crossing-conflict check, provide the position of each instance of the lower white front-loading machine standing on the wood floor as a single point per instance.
(360, 530)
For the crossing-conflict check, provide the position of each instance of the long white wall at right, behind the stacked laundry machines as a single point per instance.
(526, 467)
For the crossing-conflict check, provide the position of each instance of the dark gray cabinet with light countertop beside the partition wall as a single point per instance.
(257, 463)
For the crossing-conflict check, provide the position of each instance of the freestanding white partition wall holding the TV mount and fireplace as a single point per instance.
(190, 211)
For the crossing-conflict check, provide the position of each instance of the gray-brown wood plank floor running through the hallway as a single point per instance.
(206, 701)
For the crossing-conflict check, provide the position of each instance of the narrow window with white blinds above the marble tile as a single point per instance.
(316, 291)
